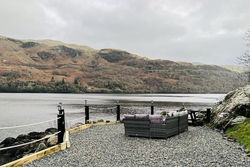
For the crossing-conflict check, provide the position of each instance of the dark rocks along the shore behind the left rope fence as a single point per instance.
(12, 154)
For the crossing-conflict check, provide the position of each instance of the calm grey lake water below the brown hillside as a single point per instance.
(25, 108)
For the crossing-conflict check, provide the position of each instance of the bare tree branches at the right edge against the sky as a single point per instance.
(245, 58)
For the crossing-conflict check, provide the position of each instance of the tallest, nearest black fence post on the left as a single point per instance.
(60, 124)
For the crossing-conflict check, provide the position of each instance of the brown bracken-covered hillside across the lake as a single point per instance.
(53, 66)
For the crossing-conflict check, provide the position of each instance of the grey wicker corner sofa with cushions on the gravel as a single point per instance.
(153, 126)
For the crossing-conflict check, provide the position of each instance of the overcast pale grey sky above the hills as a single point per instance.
(206, 31)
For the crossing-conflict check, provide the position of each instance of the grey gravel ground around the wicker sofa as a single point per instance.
(108, 146)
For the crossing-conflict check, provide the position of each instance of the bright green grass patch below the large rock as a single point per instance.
(241, 133)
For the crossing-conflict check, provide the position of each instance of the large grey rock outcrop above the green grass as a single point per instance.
(236, 103)
